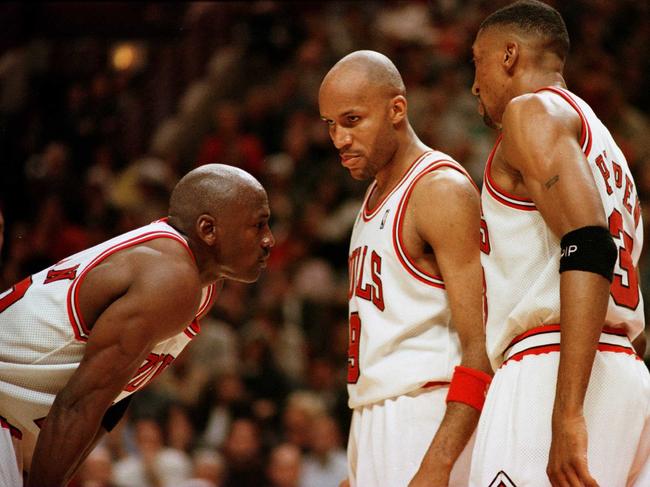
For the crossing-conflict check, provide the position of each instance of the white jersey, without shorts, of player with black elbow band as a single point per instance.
(522, 256)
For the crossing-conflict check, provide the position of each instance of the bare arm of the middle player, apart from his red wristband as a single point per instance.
(444, 214)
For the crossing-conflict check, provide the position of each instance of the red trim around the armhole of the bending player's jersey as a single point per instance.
(79, 327)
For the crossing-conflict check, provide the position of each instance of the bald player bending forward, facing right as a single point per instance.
(79, 337)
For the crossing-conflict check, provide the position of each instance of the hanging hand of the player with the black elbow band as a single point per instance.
(567, 460)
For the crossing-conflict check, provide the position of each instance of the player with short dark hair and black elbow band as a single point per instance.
(570, 400)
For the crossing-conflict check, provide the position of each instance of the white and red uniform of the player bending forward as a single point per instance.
(43, 338)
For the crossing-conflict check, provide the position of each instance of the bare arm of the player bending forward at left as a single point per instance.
(141, 297)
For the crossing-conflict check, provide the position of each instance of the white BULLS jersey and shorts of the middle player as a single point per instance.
(401, 339)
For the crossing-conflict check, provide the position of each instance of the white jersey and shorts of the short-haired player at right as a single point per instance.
(521, 263)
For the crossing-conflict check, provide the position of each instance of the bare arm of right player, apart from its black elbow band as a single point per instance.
(540, 140)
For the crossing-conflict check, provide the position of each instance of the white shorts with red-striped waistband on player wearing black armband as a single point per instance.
(513, 437)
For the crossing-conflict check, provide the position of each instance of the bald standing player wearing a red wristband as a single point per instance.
(415, 295)
